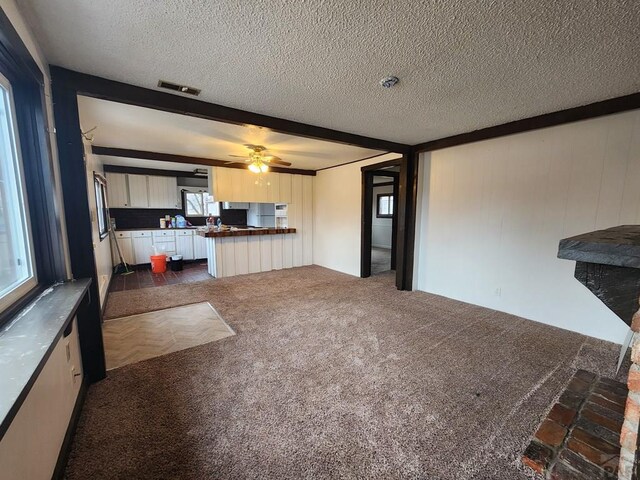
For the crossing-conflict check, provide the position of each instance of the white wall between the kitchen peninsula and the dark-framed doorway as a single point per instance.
(337, 207)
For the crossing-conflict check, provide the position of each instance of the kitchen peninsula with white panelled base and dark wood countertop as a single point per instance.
(238, 251)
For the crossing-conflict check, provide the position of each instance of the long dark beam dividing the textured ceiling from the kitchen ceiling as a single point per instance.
(102, 88)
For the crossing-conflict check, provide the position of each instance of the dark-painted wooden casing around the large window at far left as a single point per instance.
(44, 202)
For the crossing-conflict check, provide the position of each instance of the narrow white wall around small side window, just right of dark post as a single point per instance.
(101, 248)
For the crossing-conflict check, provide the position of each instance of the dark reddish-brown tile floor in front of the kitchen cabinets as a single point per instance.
(144, 278)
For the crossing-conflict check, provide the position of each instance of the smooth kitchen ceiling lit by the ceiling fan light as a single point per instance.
(137, 128)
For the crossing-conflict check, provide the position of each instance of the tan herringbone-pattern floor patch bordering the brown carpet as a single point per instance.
(147, 335)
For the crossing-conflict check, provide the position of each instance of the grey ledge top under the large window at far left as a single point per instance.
(27, 341)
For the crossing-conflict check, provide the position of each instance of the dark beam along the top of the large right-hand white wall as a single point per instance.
(584, 112)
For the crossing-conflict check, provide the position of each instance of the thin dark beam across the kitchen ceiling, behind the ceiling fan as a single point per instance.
(168, 157)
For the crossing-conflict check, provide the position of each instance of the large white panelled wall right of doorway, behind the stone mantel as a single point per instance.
(492, 213)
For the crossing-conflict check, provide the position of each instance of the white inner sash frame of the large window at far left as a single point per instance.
(29, 284)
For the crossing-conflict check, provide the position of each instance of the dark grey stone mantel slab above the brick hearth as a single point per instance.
(617, 246)
